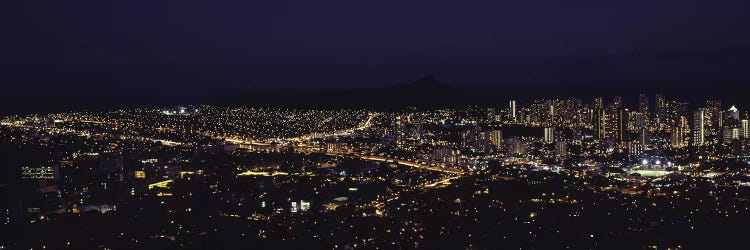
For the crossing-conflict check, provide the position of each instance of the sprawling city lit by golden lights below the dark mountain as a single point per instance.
(247, 173)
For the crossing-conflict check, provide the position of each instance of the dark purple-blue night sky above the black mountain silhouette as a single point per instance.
(210, 46)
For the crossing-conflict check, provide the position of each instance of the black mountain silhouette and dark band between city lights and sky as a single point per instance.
(427, 91)
